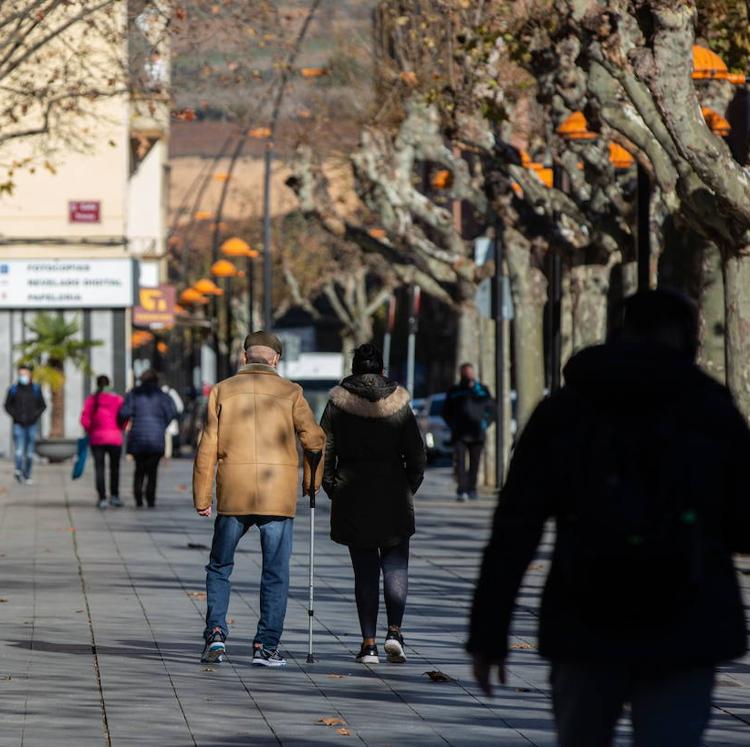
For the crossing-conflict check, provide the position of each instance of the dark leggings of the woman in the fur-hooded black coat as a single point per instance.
(367, 564)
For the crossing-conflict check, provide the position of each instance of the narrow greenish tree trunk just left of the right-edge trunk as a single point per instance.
(712, 354)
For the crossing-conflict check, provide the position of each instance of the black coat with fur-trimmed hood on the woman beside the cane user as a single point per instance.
(374, 462)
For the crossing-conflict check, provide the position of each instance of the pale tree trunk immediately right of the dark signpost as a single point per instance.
(529, 291)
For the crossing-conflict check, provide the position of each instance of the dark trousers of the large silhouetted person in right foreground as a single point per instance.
(670, 706)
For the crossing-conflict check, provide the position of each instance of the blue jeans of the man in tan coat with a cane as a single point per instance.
(276, 545)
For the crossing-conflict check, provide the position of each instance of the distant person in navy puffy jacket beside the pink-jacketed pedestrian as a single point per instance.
(149, 411)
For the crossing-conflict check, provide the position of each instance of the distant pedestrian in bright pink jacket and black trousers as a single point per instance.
(101, 422)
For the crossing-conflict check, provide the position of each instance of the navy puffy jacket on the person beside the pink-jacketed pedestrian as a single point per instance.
(150, 411)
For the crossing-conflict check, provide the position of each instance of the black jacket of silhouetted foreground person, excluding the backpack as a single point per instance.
(709, 442)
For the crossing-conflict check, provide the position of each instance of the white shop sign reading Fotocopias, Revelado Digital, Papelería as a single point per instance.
(69, 283)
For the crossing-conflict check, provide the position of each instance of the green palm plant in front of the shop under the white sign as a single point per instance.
(53, 344)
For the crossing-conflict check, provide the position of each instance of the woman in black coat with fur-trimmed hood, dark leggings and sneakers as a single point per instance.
(374, 464)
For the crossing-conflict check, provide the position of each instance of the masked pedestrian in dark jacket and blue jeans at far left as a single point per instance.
(24, 402)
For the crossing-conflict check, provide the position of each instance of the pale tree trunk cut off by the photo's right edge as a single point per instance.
(736, 271)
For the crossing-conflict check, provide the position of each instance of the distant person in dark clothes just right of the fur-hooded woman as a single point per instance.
(468, 410)
